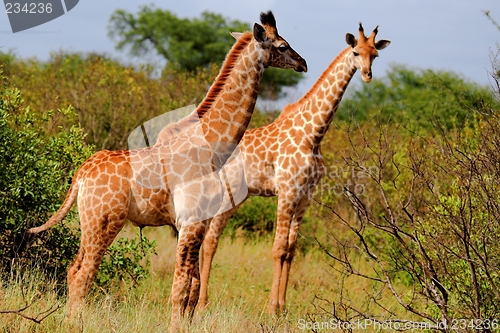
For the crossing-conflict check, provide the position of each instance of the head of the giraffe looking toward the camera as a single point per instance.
(365, 51)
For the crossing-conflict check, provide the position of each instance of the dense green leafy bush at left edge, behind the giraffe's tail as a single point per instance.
(37, 158)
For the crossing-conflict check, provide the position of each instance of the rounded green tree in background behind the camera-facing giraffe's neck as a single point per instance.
(419, 98)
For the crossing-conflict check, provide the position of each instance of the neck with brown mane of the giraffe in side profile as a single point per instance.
(225, 112)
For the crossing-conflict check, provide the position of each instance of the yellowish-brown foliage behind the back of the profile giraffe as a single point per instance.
(110, 99)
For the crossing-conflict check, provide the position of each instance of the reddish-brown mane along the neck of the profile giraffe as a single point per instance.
(224, 73)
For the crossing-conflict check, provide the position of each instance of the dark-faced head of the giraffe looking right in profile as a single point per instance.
(277, 51)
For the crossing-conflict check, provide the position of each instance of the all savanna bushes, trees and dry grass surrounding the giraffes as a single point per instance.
(404, 228)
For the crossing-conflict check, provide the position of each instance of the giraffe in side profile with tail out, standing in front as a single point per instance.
(173, 183)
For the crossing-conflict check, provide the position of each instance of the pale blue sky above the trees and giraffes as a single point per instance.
(452, 35)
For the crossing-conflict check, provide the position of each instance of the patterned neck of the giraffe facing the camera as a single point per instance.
(315, 110)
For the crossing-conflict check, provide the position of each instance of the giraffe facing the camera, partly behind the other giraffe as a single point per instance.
(284, 159)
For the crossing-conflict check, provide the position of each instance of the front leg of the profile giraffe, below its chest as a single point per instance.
(184, 294)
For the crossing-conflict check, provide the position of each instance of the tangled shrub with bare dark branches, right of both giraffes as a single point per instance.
(426, 221)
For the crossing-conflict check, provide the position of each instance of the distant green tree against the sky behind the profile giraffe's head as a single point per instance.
(188, 45)
